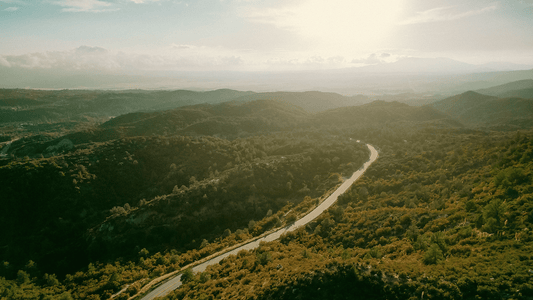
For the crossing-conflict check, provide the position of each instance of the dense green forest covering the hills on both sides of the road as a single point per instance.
(98, 211)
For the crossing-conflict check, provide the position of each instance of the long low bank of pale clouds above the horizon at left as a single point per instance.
(177, 57)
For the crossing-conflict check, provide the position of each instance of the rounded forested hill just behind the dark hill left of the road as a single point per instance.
(228, 120)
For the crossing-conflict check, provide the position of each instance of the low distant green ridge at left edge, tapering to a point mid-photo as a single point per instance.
(18, 105)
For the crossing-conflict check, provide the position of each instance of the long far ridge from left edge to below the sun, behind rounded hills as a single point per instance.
(19, 105)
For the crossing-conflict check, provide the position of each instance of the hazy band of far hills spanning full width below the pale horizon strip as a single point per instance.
(224, 110)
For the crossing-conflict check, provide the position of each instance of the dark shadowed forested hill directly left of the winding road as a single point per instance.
(158, 192)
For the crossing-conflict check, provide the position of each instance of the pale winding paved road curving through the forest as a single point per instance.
(175, 282)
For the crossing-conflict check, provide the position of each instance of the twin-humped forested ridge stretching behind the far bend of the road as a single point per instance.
(233, 120)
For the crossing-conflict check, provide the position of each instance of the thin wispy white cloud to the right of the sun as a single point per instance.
(445, 14)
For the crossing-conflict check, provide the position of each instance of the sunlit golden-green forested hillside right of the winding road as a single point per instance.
(447, 222)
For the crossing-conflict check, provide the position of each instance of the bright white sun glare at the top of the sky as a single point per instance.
(345, 25)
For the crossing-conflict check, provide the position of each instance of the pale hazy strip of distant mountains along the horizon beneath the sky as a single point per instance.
(407, 75)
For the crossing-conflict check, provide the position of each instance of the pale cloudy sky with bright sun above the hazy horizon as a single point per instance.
(257, 35)
